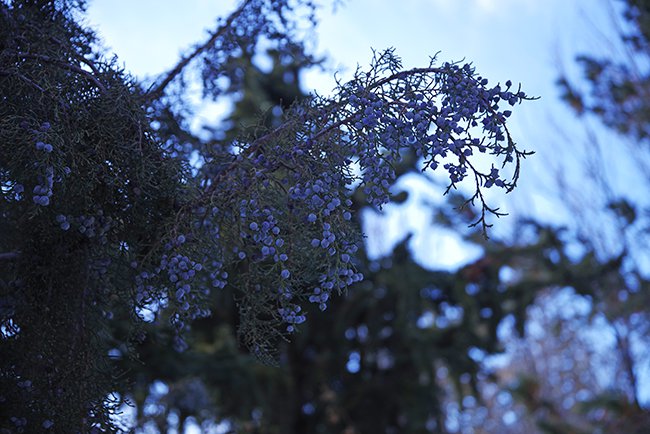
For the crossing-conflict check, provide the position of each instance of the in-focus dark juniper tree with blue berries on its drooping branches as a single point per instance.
(105, 217)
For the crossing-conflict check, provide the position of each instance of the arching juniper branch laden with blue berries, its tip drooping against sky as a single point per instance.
(283, 205)
